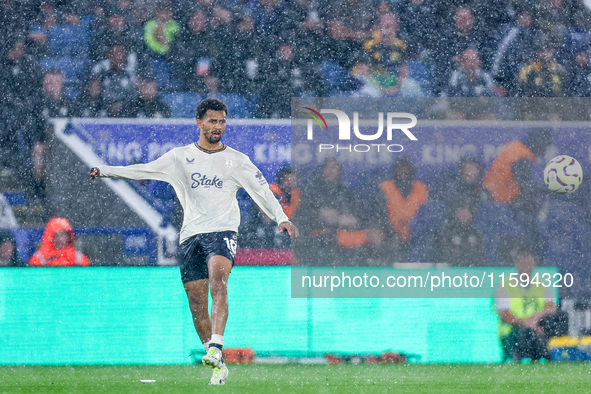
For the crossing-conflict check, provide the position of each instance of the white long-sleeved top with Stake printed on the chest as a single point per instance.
(206, 183)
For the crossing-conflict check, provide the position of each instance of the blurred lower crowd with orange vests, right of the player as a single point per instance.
(473, 216)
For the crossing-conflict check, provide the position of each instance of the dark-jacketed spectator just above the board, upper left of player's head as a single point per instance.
(148, 104)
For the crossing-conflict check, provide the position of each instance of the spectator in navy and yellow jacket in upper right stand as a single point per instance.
(542, 76)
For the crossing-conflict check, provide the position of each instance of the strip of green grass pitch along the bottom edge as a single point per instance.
(295, 378)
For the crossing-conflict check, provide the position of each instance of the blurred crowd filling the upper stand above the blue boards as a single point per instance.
(114, 58)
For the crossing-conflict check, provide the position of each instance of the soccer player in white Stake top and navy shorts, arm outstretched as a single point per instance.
(206, 176)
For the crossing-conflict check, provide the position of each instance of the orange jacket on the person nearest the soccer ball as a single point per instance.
(500, 180)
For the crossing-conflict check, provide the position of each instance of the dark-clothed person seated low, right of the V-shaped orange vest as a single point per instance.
(458, 241)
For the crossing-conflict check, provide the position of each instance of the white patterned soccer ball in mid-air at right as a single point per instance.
(563, 174)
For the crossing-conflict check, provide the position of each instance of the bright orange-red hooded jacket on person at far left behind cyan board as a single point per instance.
(49, 256)
